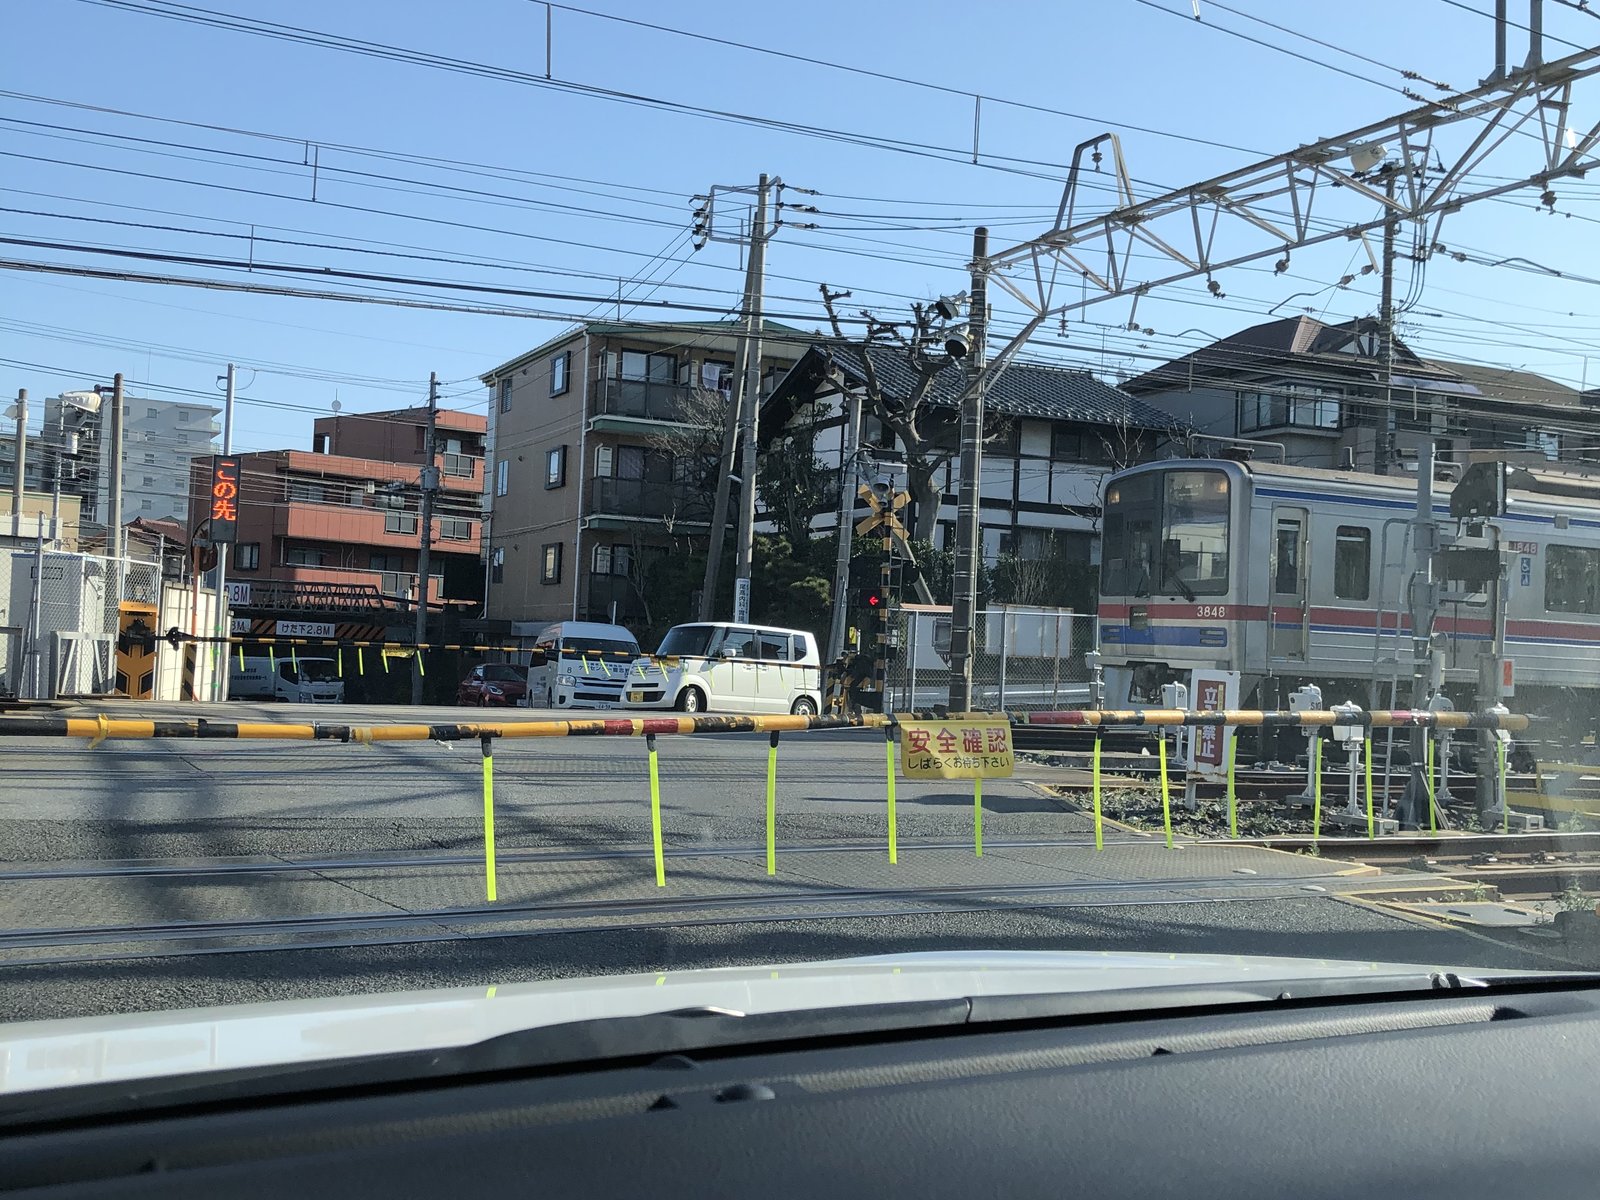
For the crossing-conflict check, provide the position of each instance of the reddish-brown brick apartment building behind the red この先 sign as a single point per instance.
(346, 511)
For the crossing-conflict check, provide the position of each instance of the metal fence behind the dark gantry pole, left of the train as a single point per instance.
(1025, 660)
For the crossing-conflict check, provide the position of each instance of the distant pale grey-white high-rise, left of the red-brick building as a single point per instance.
(159, 439)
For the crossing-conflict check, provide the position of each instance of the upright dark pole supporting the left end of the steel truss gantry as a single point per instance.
(969, 535)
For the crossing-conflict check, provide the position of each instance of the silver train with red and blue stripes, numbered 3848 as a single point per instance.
(1298, 575)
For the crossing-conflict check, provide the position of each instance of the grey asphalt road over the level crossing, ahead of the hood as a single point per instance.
(574, 828)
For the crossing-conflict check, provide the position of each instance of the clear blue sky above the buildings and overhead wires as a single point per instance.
(177, 148)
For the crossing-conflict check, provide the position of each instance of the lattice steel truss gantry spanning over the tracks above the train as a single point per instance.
(1511, 134)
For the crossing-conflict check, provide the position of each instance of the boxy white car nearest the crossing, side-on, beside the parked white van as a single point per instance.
(727, 668)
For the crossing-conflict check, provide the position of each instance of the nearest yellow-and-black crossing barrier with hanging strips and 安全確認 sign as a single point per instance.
(970, 766)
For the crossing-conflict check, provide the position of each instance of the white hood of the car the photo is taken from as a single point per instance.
(39, 1055)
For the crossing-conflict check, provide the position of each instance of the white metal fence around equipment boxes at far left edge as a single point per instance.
(60, 623)
